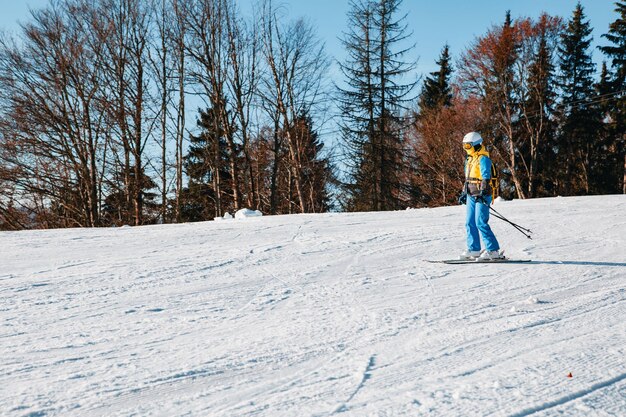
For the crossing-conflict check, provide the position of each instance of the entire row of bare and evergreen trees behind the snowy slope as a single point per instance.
(95, 97)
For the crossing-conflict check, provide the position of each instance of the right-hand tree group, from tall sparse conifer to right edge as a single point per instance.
(528, 85)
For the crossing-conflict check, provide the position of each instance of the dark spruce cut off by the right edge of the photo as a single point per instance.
(617, 90)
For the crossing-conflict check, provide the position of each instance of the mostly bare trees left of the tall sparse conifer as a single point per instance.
(94, 96)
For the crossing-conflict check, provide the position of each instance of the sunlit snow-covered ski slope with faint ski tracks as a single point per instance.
(319, 315)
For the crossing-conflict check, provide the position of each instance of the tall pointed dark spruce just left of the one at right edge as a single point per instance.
(579, 116)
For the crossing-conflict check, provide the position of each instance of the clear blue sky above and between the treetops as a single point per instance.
(433, 23)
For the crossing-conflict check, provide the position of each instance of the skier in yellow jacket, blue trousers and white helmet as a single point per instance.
(477, 194)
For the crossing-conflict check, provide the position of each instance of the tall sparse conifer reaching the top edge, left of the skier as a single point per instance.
(372, 102)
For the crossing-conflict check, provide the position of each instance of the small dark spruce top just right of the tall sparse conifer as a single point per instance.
(436, 92)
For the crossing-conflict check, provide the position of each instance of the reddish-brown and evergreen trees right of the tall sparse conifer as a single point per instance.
(530, 87)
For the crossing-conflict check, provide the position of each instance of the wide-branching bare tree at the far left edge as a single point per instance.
(51, 88)
